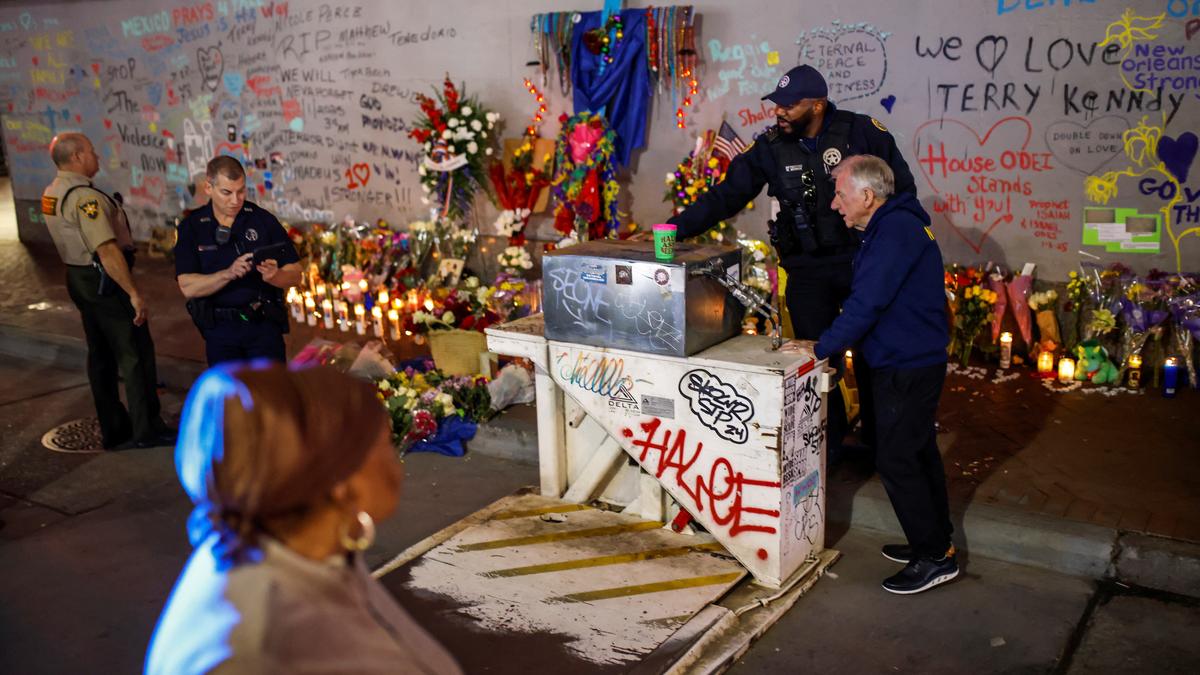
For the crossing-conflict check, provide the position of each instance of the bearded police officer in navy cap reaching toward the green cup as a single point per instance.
(795, 160)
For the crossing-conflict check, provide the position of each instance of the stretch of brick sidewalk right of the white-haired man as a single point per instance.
(1127, 462)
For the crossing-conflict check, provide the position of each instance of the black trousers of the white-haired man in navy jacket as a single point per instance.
(908, 458)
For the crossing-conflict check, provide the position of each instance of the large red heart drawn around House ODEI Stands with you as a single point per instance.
(967, 156)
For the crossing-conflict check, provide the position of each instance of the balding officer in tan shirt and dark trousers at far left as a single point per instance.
(93, 237)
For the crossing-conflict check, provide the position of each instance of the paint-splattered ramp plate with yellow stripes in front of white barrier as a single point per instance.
(535, 584)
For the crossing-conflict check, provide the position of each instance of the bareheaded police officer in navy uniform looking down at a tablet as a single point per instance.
(237, 303)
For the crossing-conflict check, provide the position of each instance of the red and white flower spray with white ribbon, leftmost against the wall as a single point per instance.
(457, 136)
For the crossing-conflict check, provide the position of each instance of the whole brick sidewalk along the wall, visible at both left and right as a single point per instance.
(1127, 462)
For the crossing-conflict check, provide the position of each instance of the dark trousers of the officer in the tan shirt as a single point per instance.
(117, 350)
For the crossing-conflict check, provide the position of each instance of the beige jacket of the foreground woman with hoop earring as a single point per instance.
(289, 614)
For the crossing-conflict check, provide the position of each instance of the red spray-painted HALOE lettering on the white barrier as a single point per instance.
(723, 489)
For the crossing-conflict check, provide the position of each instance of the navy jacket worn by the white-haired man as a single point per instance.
(897, 308)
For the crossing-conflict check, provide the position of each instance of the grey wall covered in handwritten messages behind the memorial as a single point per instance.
(1037, 130)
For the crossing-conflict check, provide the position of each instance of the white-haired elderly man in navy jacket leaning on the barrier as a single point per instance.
(896, 318)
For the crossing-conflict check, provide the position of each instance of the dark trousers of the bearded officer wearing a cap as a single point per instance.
(815, 295)
